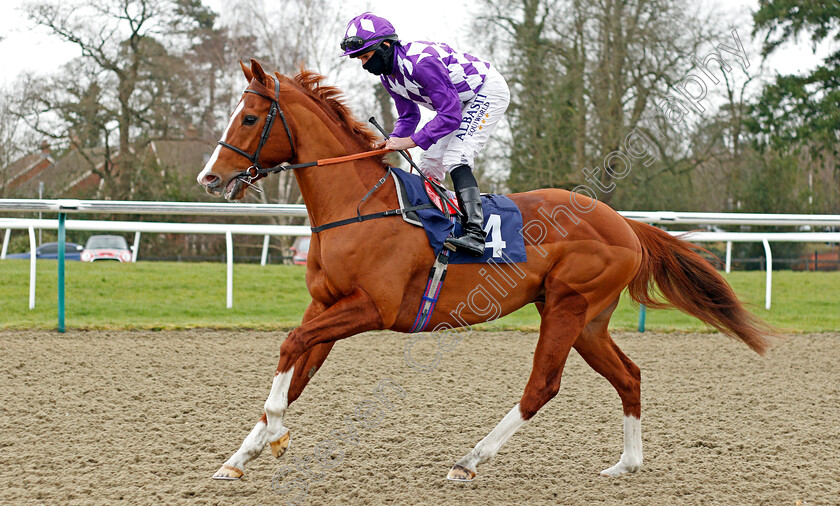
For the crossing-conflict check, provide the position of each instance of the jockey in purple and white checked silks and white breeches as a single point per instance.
(468, 95)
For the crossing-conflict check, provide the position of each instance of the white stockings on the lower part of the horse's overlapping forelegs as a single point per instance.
(262, 433)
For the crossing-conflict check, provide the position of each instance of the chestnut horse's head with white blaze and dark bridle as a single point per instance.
(248, 143)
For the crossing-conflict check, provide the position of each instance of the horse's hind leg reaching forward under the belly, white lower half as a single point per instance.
(563, 318)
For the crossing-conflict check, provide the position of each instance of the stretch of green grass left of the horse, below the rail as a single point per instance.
(153, 295)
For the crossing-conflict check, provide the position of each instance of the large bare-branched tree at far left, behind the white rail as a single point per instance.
(121, 78)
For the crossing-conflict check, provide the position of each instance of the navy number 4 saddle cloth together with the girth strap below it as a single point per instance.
(502, 223)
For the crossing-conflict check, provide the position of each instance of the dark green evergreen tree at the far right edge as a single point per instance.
(797, 117)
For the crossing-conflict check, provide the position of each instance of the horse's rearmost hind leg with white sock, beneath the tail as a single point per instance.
(602, 354)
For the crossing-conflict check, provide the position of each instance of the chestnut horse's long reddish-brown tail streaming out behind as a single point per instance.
(691, 284)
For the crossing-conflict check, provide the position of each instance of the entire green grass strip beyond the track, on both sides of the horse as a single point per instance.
(159, 295)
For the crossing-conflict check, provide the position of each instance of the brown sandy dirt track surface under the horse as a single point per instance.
(148, 417)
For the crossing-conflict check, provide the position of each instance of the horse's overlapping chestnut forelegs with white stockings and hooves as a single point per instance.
(303, 350)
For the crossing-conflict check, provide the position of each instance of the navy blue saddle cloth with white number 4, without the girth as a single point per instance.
(502, 222)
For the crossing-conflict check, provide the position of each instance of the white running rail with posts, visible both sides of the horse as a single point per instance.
(63, 207)
